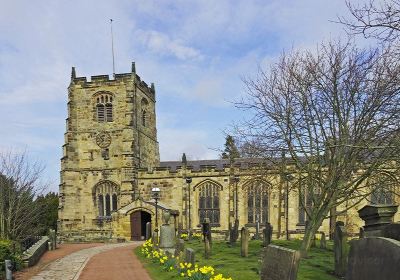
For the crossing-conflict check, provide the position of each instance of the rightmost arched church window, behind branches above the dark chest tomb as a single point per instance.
(382, 187)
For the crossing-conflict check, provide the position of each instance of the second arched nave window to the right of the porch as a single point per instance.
(257, 201)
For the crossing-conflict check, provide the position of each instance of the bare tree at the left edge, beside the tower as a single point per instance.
(19, 186)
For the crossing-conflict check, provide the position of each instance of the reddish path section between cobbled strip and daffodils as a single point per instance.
(119, 264)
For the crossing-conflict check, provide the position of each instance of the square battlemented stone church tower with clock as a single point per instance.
(110, 133)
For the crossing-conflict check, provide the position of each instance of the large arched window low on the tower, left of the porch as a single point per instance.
(106, 196)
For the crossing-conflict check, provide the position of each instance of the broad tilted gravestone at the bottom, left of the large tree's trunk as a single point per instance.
(279, 263)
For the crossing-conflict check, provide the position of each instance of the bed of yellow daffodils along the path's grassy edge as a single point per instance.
(182, 269)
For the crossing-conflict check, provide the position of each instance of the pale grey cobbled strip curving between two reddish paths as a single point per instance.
(70, 266)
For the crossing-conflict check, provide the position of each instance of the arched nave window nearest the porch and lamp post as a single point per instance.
(209, 202)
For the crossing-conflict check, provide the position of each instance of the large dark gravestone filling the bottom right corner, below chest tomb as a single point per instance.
(374, 258)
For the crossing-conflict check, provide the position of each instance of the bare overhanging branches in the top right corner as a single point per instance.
(374, 19)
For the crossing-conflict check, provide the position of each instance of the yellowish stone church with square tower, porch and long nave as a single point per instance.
(111, 164)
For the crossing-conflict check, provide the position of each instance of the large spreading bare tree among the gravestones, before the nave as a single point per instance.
(335, 113)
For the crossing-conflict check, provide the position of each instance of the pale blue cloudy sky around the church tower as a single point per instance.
(196, 53)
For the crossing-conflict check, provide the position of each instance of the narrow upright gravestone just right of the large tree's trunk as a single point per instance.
(340, 249)
